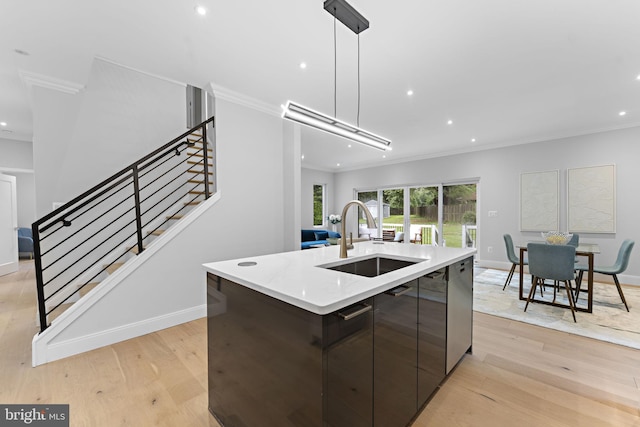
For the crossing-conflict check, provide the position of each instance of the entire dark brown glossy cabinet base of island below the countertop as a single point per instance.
(374, 363)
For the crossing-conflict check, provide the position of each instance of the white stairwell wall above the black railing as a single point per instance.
(81, 139)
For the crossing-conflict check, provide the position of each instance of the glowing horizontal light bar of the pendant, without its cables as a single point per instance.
(307, 116)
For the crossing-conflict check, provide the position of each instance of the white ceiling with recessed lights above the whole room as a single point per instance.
(505, 71)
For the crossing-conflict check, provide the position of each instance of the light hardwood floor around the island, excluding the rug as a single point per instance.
(519, 375)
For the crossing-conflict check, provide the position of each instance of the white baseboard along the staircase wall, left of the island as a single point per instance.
(43, 351)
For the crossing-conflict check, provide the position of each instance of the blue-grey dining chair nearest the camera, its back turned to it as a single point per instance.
(553, 262)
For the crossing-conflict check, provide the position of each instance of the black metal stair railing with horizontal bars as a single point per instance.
(83, 240)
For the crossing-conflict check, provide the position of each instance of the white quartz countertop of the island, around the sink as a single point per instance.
(295, 278)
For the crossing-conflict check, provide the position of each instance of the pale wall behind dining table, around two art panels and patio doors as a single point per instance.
(499, 176)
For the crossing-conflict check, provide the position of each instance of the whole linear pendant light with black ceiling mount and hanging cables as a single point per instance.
(345, 13)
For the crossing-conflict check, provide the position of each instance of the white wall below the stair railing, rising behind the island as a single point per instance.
(169, 287)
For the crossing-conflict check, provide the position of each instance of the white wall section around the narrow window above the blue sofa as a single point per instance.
(309, 178)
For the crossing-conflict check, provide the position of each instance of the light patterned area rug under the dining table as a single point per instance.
(609, 321)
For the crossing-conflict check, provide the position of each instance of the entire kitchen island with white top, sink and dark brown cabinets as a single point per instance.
(308, 339)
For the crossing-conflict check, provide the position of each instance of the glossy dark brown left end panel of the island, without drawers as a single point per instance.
(265, 359)
